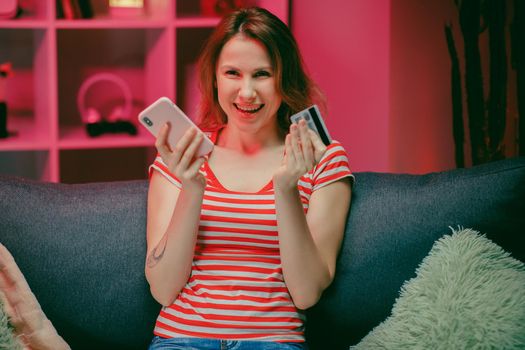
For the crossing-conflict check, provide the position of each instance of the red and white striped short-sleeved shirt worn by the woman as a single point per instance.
(236, 289)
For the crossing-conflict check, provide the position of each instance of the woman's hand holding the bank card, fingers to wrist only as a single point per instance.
(303, 150)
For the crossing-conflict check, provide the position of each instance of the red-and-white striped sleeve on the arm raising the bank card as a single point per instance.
(332, 167)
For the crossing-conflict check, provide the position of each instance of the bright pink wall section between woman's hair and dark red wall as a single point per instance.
(346, 47)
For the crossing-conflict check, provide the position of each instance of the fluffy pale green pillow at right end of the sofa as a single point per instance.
(468, 293)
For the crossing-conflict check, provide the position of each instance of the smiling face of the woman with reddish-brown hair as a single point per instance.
(246, 85)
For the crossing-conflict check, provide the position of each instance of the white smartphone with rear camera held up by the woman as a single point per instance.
(164, 110)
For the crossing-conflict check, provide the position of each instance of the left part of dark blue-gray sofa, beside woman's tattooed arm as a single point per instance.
(82, 250)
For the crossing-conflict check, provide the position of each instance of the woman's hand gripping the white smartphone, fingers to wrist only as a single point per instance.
(181, 159)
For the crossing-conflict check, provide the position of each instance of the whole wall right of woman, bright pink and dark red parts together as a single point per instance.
(385, 68)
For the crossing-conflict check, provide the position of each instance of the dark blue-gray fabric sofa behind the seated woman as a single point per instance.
(82, 248)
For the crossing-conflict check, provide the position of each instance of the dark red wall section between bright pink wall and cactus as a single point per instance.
(420, 102)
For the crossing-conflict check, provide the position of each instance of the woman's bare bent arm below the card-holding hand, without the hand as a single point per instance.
(309, 243)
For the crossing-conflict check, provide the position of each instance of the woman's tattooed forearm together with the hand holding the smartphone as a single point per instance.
(173, 217)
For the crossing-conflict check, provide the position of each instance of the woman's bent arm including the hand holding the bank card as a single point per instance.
(309, 243)
